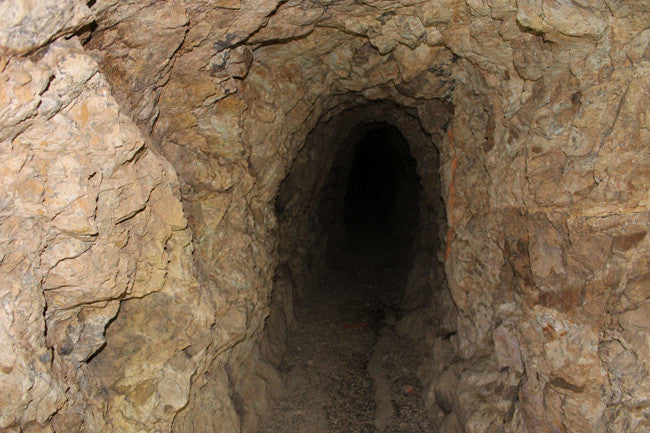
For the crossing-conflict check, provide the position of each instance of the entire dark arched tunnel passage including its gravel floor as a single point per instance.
(350, 216)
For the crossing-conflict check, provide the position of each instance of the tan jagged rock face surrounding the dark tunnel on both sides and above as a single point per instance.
(144, 144)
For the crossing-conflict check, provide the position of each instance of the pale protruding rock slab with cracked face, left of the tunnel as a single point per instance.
(93, 232)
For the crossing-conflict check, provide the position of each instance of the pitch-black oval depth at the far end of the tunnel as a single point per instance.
(375, 218)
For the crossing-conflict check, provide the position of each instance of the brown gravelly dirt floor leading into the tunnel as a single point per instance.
(346, 369)
